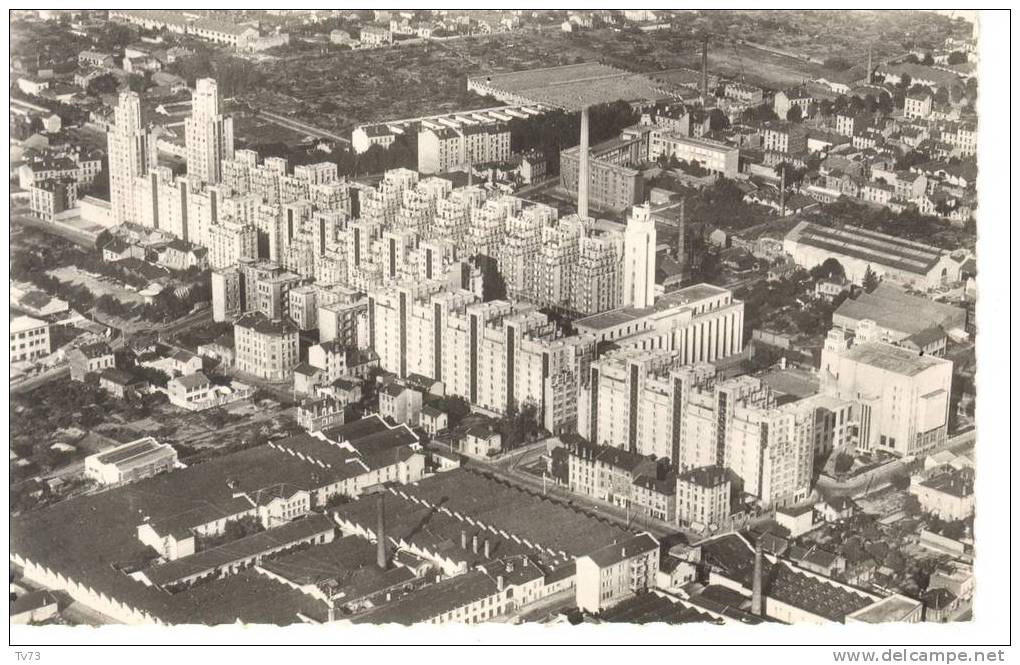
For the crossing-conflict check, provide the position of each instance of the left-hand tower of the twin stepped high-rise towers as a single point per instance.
(132, 155)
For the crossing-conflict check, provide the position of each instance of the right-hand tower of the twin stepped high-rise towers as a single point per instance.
(209, 135)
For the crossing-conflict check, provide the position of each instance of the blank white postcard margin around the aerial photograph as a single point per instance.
(994, 562)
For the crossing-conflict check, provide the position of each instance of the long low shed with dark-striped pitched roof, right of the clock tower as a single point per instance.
(909, 264)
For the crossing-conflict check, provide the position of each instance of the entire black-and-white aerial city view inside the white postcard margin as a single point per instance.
(550, 318)
